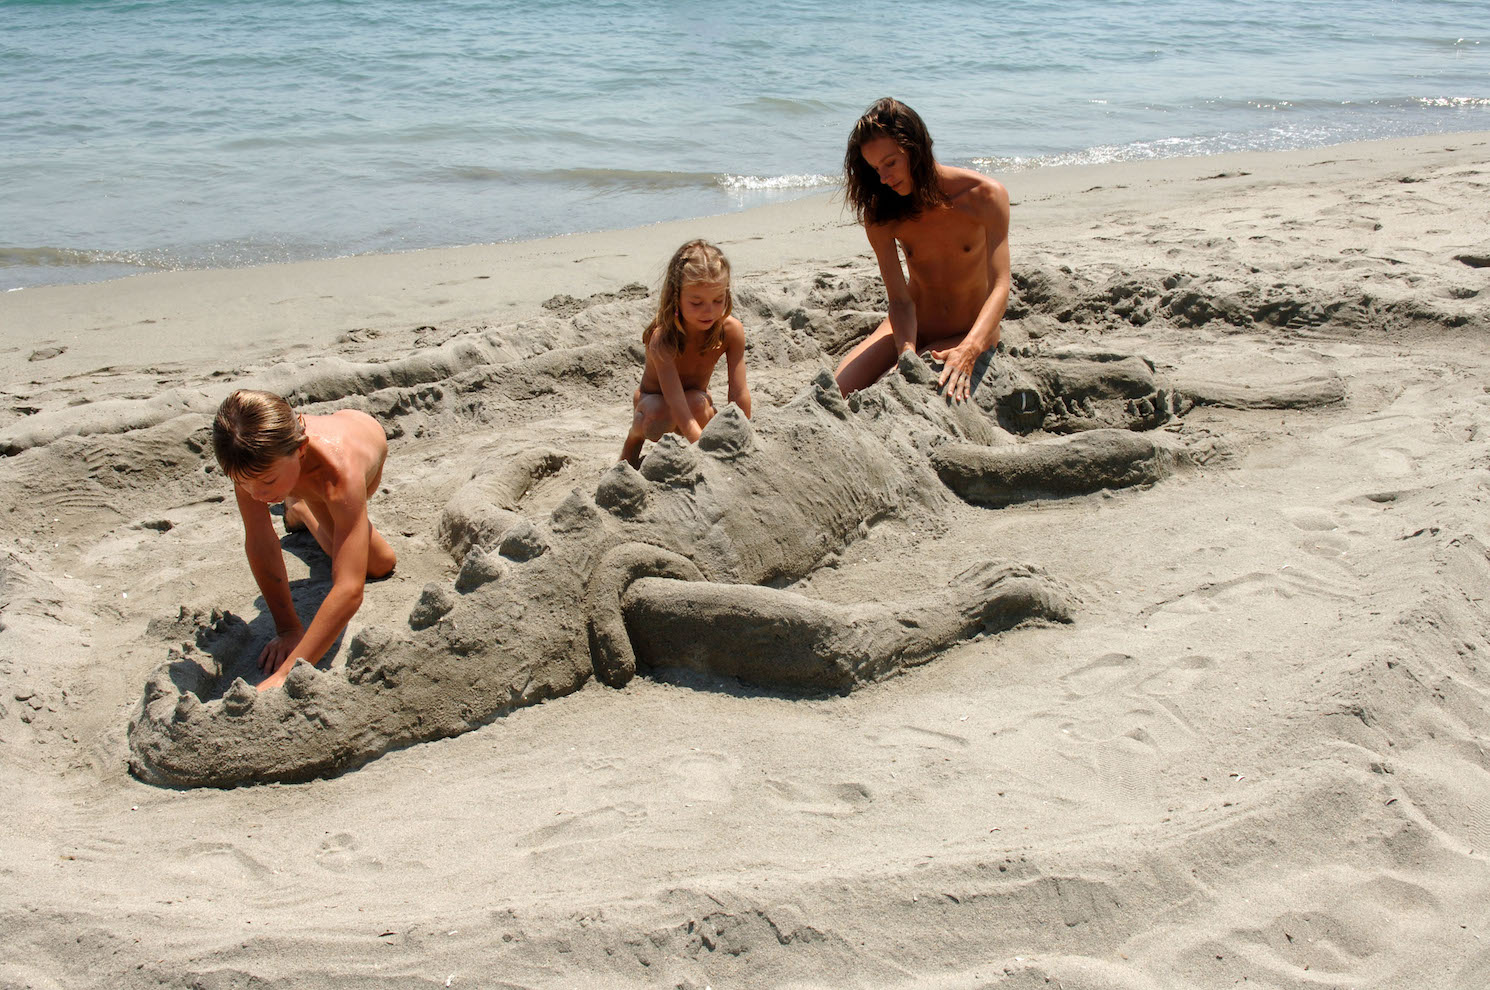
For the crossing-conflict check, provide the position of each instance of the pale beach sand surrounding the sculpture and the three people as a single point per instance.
(1257, 754)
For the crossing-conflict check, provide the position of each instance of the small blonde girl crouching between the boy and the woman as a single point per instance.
(686, 339)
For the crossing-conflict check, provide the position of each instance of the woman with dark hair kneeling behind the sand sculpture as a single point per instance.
(954, 227)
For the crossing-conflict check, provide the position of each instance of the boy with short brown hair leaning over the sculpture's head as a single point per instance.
(324, 469)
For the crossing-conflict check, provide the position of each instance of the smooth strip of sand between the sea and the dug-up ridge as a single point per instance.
(312, 302)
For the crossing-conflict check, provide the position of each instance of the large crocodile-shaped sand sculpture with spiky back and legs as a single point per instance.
(683, 561)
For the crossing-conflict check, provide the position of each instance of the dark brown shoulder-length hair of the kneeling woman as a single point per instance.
(872, 201)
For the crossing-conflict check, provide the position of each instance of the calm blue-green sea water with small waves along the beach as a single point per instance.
(148, 135)
